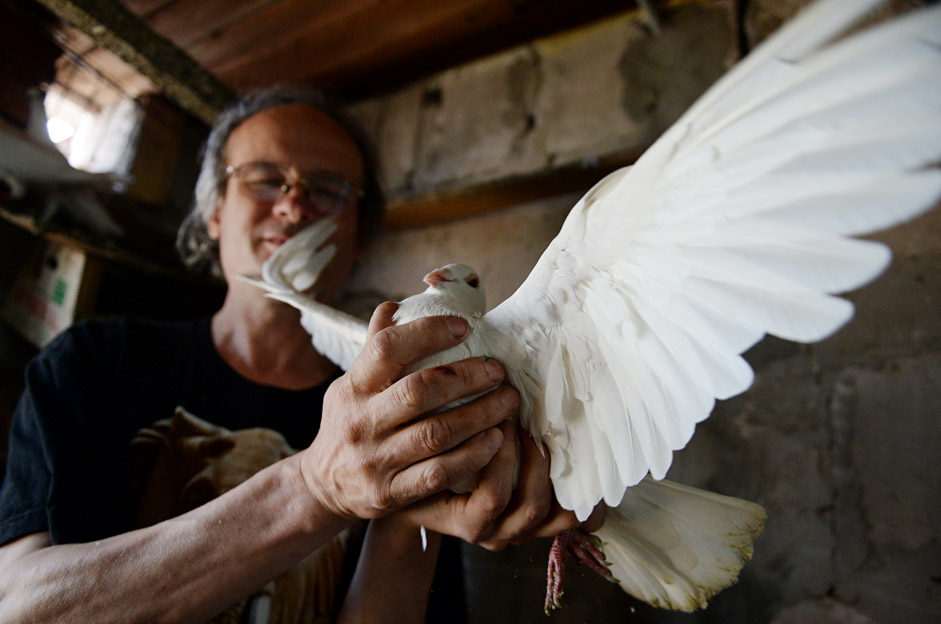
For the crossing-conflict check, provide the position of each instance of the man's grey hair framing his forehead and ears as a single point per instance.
(193, 243)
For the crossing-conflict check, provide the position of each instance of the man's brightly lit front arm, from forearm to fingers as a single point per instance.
(372, 456)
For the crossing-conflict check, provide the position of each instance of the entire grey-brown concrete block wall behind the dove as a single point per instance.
(839, 441)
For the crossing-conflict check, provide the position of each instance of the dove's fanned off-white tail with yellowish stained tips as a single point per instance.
(675, 546)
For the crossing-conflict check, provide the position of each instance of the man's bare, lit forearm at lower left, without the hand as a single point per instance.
(183, 570)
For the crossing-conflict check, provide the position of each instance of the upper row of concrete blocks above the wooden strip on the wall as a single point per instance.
(600, 89)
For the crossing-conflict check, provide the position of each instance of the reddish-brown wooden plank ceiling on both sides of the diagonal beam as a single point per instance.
(355, 47)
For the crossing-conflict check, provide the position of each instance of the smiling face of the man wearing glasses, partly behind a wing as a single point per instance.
(248, 230)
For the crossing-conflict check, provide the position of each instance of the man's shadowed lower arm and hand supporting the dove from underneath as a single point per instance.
(394, 575)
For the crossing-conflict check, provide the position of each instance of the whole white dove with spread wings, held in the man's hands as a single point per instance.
(736, 223)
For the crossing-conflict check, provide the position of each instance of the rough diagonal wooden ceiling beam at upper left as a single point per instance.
(113, 27)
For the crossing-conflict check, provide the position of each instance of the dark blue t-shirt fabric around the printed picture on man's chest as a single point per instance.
(90, 390)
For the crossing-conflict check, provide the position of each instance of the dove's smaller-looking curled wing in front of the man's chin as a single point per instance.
(291, 272)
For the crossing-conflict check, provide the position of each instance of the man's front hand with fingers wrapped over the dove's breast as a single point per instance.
(376, 452)
